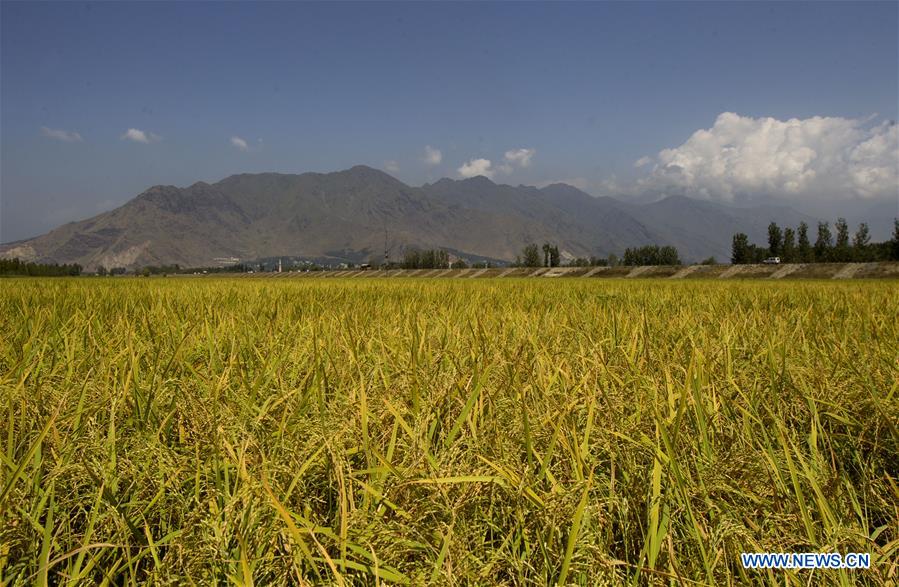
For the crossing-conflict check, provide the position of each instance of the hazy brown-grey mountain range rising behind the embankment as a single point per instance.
(347, 215)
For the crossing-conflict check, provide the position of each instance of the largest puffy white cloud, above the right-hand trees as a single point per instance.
(818, 157)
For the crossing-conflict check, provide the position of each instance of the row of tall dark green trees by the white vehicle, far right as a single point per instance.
(795, 246)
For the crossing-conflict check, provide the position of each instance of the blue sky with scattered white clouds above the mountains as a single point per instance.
(733, 102)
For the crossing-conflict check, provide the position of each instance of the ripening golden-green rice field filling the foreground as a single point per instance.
(456, 432)
